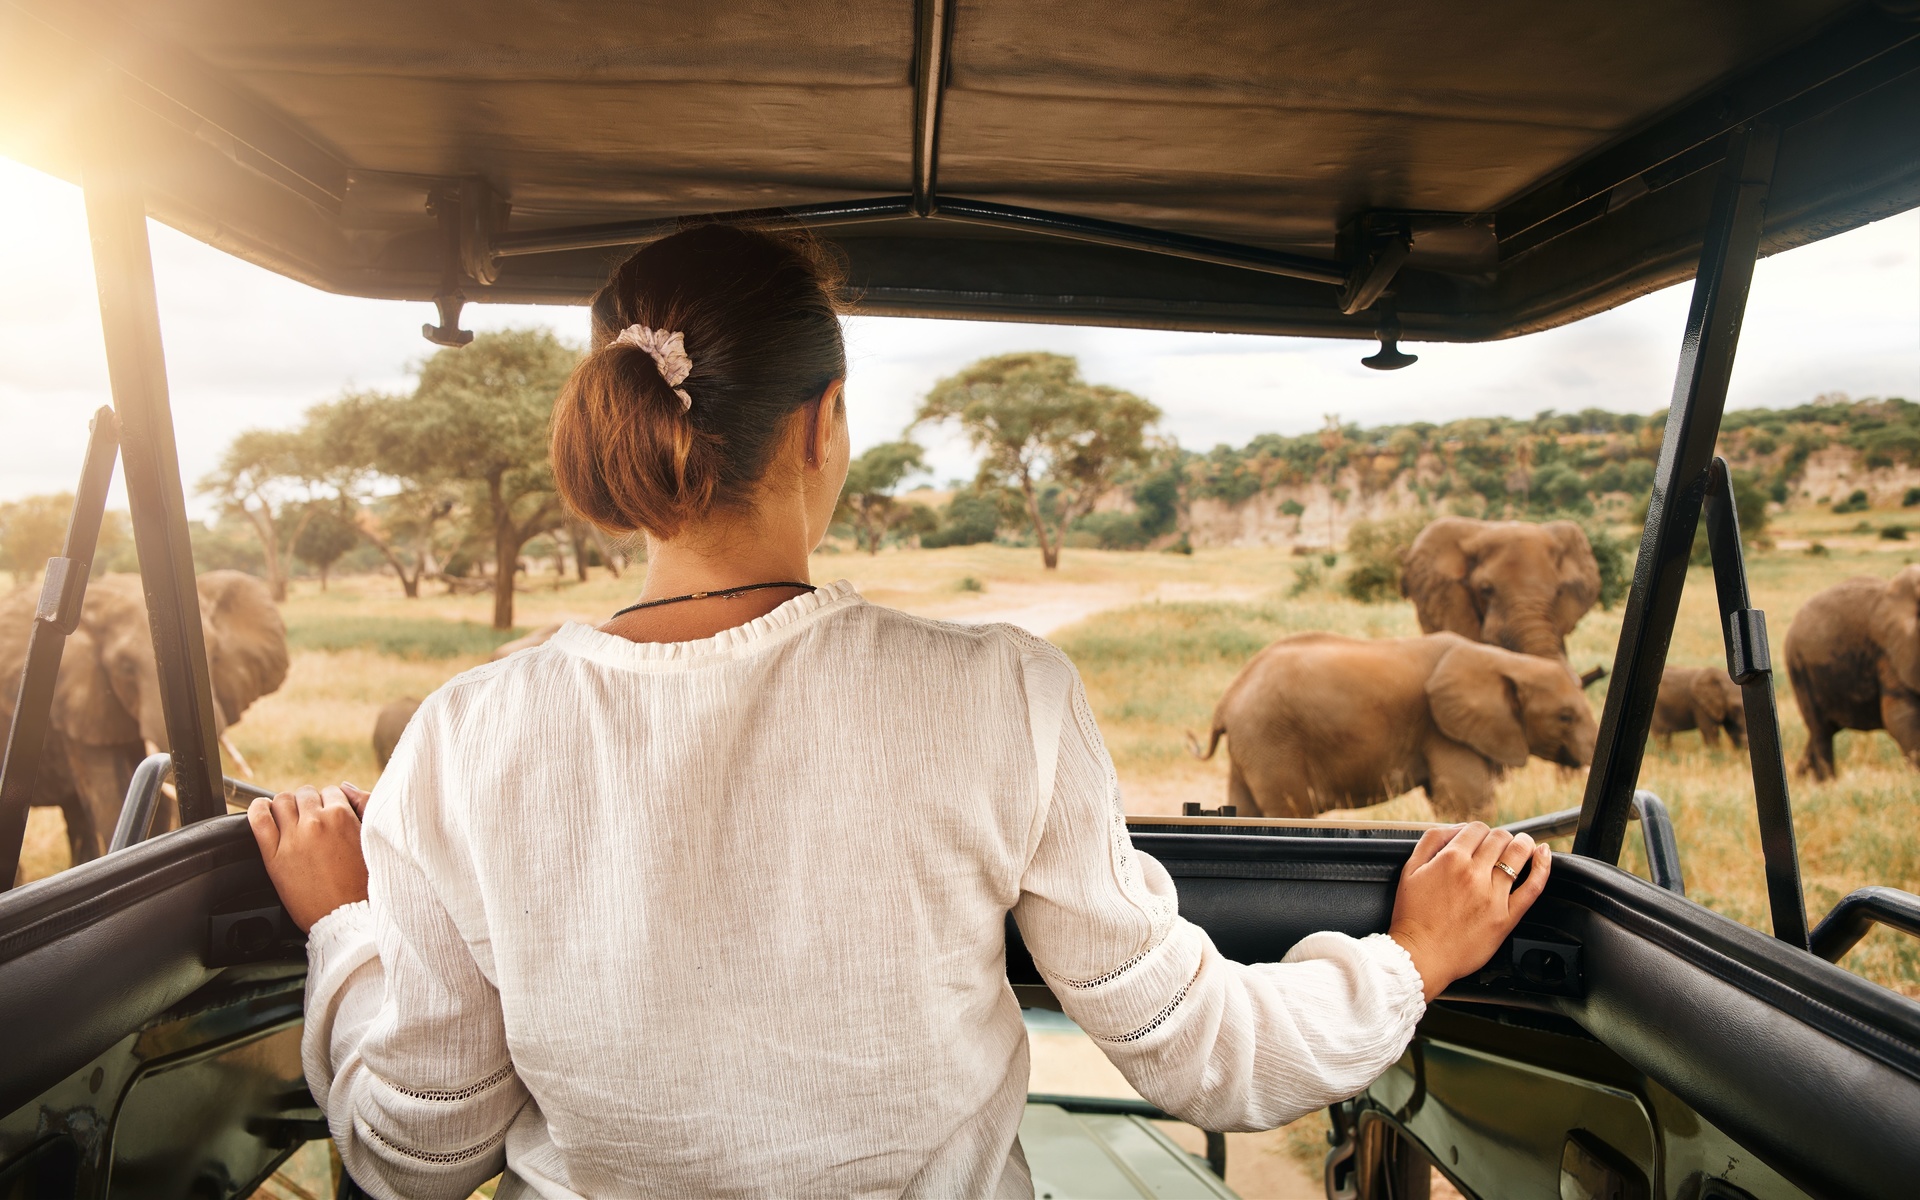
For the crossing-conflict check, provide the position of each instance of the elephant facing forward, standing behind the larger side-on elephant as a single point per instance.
(1504, 583)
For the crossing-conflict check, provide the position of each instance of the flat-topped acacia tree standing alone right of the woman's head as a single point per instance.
(1042, 425)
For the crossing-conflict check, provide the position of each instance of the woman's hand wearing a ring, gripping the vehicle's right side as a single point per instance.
(1456, 907)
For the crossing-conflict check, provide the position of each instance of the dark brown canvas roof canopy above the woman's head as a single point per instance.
(1259, 166)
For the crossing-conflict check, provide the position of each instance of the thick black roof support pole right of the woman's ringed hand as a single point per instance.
(1679, 487)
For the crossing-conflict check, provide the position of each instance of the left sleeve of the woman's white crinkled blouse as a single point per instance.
(406, 1047)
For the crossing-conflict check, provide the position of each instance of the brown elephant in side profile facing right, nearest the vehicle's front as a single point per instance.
(1320, 721)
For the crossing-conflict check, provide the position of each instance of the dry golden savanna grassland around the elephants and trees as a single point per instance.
(1157, 638)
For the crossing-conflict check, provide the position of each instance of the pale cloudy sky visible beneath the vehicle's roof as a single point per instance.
(251, 348)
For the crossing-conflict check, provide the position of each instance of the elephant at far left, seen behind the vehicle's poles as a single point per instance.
(107, 704)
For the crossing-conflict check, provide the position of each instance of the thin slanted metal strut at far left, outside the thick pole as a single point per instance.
(55, 619)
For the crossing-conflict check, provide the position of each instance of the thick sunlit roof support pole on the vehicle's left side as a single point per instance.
(130, 320)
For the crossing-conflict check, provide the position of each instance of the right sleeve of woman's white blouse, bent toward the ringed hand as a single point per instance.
(1222, 1045)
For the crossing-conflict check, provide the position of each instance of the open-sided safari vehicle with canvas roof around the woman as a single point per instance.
(1420, 170)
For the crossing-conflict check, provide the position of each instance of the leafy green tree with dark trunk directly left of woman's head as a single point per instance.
(481, 418)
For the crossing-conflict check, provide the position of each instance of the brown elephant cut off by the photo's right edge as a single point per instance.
(1854, 658)
